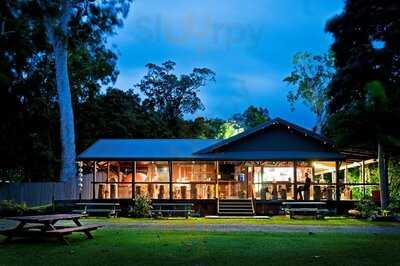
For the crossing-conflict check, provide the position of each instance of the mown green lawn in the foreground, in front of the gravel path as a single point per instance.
(149, 247)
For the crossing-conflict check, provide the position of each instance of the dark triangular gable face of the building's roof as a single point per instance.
(275, 135)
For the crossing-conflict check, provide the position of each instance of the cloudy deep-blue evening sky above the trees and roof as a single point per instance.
(249, 44)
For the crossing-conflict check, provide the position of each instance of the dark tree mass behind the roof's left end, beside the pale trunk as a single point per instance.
(128, 119)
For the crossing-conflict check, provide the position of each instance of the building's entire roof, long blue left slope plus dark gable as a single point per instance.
(277, 139)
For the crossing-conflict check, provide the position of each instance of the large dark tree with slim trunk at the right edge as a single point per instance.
(364, 93)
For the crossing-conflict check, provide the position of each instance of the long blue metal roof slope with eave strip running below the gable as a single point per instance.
(184, 149)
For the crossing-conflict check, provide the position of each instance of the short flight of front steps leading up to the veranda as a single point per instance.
(232, 207)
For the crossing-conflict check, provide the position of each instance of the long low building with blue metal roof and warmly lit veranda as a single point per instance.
(267, 165)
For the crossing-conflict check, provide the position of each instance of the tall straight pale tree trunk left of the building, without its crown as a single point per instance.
(67, 130)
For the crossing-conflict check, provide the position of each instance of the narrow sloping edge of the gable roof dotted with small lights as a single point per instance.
(276, 121)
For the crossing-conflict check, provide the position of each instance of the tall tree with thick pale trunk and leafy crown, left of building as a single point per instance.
(58, 19)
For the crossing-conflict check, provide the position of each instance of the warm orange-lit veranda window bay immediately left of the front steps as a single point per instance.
(193, 180)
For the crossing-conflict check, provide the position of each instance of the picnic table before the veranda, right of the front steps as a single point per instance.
(315, 208)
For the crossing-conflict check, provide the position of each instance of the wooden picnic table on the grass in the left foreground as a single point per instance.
(45, 226)
